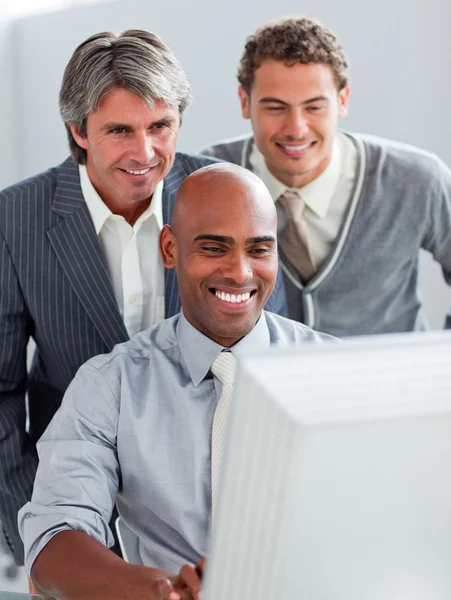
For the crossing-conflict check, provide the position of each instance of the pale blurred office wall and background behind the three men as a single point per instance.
(400, 55)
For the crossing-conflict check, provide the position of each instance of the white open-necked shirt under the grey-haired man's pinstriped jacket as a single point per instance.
(132, 256)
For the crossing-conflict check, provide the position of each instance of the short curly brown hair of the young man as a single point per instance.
(293, 40)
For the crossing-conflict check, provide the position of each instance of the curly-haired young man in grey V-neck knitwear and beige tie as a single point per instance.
(354, 210)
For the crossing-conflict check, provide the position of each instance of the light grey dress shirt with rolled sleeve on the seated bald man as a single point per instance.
(137, 423)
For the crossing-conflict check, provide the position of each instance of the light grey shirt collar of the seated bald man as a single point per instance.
(199, 362)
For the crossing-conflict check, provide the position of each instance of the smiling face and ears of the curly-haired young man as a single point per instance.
(294, 112)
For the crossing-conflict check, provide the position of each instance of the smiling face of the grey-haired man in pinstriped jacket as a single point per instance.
(130, 148)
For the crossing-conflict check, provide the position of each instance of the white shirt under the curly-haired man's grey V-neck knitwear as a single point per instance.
(326, 197)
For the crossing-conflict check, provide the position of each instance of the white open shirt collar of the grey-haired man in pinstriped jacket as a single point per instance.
(100, 212)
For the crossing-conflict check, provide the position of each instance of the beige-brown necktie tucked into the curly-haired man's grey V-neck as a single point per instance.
(293, 238)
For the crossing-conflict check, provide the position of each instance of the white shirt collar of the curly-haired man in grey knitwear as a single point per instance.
(317, 194)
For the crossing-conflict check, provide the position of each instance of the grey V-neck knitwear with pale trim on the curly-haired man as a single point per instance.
(401, 202)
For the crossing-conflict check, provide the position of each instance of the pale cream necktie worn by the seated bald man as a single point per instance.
(224, 369)
